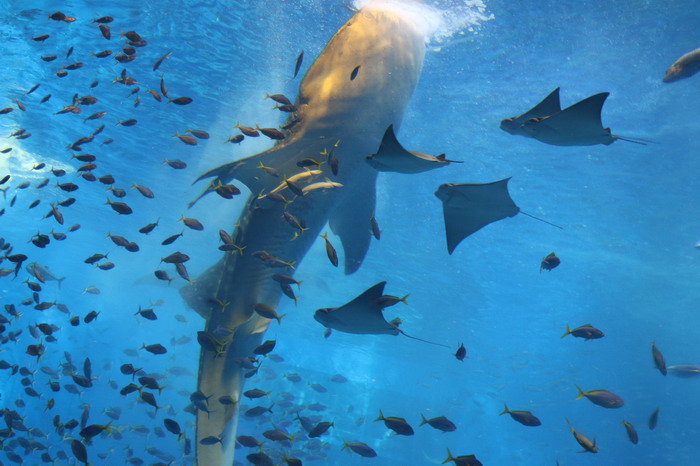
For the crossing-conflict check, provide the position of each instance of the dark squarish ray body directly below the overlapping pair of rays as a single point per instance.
(469, 207)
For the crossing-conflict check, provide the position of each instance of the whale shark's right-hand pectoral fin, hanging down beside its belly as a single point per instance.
(351, 222)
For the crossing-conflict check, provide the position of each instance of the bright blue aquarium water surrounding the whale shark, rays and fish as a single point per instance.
(629, 214)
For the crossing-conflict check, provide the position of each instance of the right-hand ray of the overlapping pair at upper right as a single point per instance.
(582, 118)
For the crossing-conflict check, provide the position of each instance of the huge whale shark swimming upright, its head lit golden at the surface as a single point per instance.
(342, 117)
